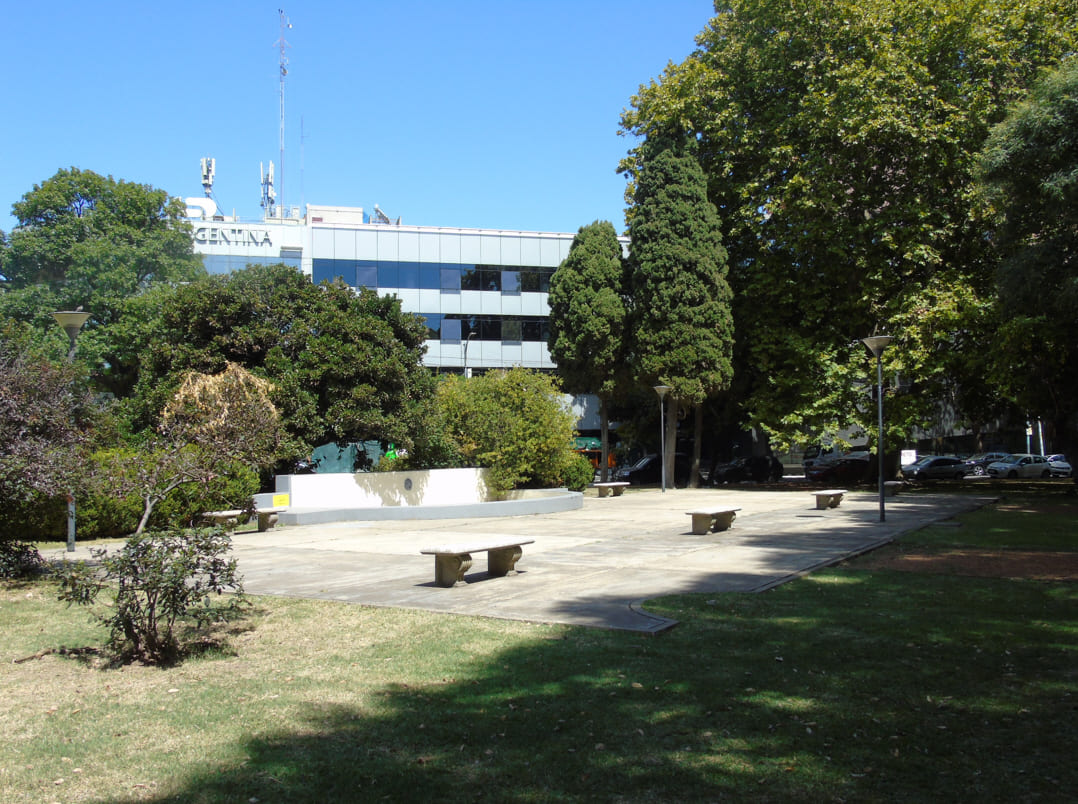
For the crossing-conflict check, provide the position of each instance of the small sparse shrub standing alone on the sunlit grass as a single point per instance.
(165, 585)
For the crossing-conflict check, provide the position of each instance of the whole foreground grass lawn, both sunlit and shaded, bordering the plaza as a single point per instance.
(849, 685)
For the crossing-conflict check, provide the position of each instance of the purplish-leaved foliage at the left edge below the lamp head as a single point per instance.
(44, 419)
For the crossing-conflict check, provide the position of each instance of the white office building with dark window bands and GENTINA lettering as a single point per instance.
(482, 293)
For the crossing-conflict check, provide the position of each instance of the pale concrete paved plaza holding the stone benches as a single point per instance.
(597, 566)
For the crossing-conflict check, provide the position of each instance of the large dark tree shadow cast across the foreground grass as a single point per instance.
(846, 686)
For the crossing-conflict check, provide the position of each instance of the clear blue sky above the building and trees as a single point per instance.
(477, 114)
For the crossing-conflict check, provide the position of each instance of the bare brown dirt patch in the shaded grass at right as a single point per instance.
(1030, 565)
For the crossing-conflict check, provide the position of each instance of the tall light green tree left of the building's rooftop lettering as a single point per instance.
(92, 242)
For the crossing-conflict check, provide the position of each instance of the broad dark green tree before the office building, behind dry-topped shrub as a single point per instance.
(345, 367)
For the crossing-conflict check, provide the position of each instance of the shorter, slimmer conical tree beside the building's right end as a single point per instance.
(588, 315)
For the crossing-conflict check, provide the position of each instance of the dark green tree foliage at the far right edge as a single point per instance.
(1030, 170)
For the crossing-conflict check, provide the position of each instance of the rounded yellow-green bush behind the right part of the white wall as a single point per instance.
(515, 423)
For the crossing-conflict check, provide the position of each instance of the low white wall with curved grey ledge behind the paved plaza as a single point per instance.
(436, 494)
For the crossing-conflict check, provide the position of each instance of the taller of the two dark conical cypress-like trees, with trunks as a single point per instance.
(682, 323)
